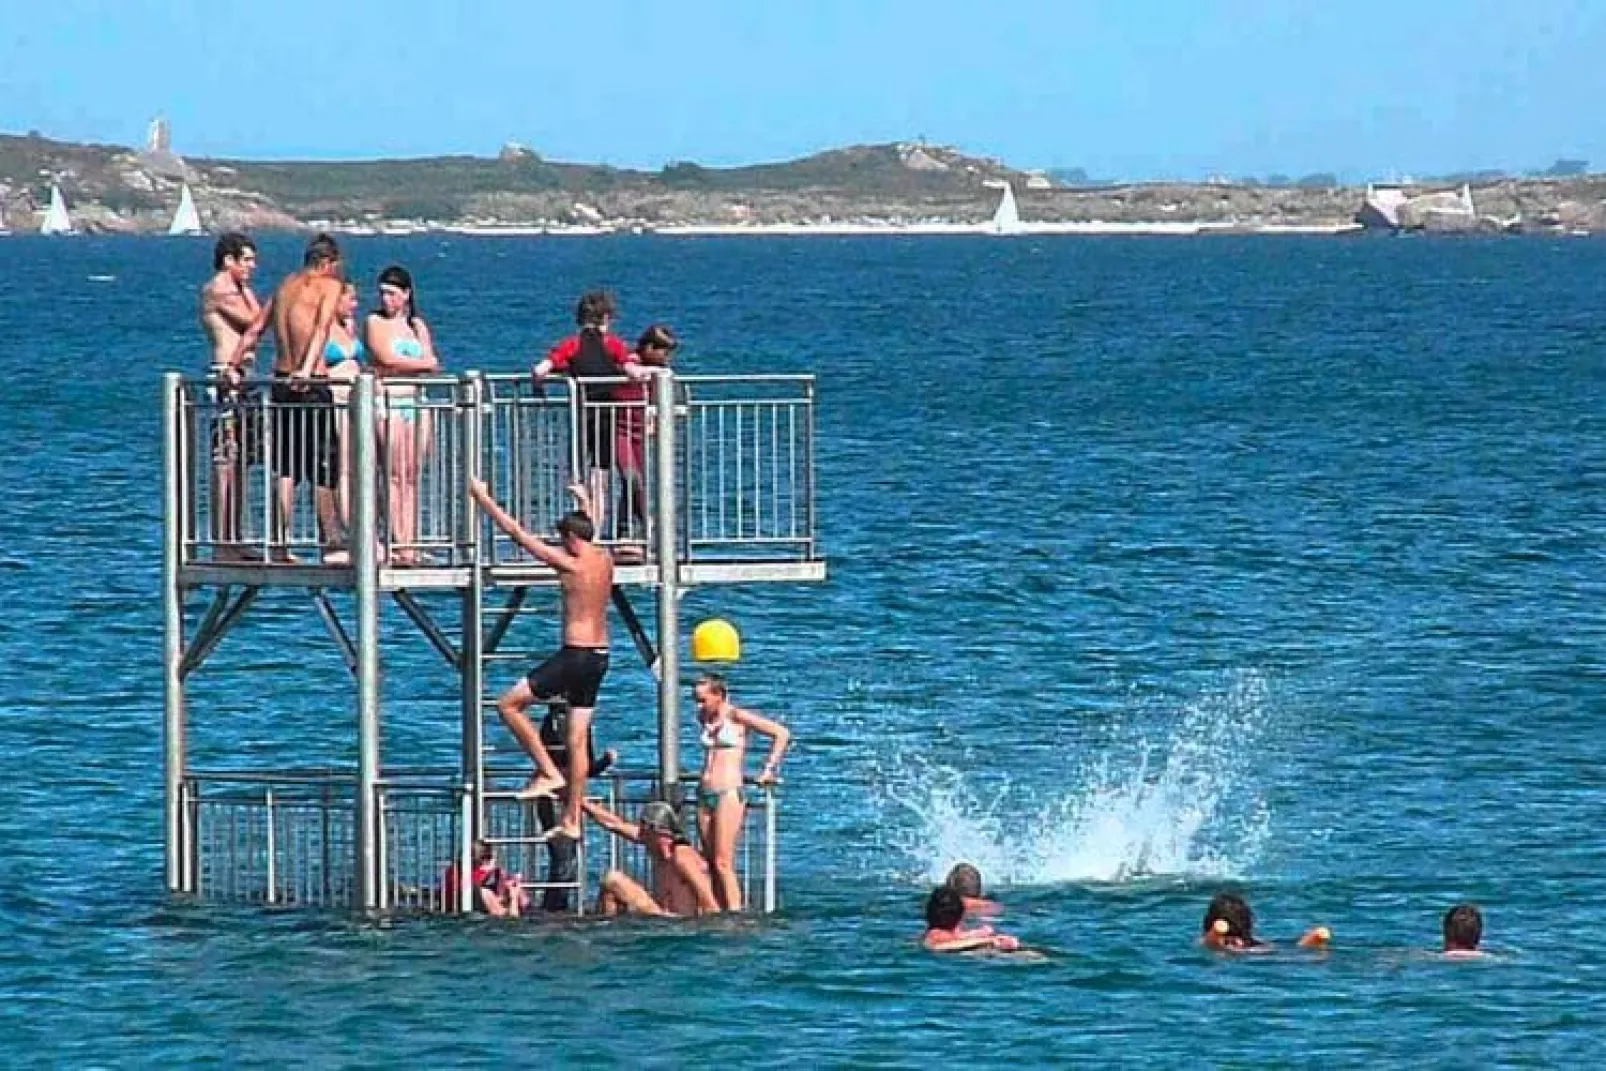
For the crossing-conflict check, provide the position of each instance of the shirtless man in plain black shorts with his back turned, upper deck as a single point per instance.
(304, 439)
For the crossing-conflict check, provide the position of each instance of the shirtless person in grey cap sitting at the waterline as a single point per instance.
(680, 874)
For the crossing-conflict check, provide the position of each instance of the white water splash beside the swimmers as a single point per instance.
(1181, 804)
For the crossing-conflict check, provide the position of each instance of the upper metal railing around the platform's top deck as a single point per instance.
(267, 471)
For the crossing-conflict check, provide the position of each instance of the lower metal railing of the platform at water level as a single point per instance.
(288, 839)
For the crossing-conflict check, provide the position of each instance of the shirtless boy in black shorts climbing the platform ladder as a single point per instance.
(576, 674)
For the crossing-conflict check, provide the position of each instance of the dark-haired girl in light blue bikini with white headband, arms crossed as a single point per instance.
(401, 349)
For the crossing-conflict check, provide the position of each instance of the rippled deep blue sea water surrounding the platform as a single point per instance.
(1159, 568)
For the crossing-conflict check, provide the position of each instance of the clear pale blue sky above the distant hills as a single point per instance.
(1122, 88)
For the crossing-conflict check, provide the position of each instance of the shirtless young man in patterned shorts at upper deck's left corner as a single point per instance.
(227, 312)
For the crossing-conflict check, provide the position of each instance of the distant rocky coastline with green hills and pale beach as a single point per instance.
(903, 189)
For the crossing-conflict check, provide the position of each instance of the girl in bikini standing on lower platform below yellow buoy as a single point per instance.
(720, 802)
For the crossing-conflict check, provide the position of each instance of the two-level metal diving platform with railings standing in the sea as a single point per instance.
(357, 494)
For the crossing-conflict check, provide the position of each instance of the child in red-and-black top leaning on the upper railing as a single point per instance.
(595, 354)
